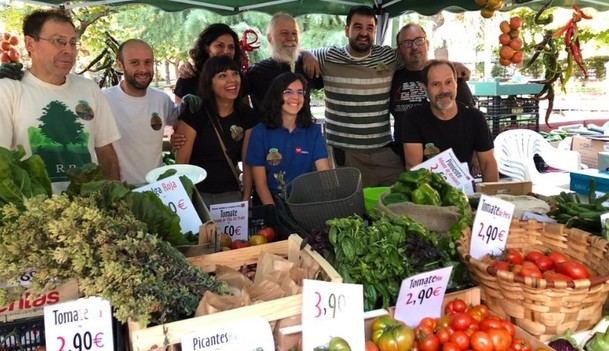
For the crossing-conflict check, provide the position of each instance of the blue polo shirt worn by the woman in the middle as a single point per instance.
(279, 150)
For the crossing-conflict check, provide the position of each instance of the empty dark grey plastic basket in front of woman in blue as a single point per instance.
(316, 197)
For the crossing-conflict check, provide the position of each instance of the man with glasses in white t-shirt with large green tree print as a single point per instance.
(62, 117)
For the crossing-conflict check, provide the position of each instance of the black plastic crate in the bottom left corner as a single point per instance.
(23, 334)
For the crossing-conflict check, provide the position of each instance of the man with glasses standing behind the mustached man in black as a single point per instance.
(407, 88)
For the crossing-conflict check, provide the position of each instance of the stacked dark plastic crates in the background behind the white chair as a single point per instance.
(512, 112)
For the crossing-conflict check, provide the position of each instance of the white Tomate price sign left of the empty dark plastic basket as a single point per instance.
(231, 218)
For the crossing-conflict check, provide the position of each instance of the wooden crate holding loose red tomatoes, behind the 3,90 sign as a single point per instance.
(288, 336)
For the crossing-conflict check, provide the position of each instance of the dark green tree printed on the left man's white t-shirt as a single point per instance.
(60, 124)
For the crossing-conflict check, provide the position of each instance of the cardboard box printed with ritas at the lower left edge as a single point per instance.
(30, 305)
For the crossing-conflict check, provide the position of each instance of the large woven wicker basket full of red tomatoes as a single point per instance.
(546, 308)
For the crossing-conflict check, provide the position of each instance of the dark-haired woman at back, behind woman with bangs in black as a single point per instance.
(217, 39)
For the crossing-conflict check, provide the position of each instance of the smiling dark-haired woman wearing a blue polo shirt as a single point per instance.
(287, 143)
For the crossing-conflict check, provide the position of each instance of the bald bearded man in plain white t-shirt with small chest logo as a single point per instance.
(141, 112)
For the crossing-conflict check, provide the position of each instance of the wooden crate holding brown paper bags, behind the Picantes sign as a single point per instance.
(168, 334)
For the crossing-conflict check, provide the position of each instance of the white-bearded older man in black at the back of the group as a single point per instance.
(283, 35)
